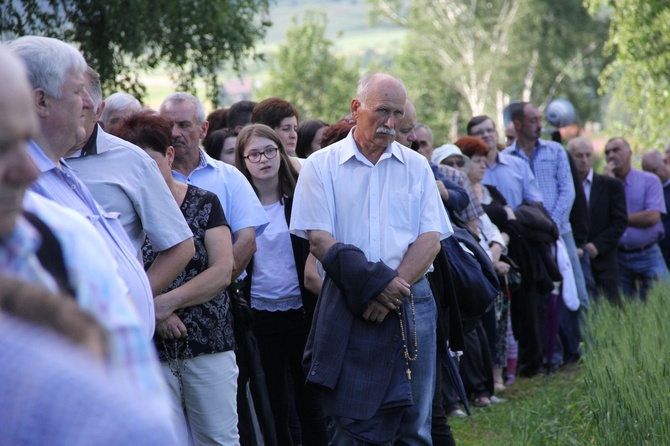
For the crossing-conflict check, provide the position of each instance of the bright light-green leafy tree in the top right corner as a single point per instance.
(637, 77)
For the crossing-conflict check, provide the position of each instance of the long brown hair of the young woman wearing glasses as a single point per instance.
(287, 174)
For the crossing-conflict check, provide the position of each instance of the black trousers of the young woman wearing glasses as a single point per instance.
(281, 340)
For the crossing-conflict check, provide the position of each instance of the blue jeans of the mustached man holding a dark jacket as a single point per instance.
(415, 424)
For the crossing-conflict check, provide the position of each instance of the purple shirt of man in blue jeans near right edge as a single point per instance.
(644, 192)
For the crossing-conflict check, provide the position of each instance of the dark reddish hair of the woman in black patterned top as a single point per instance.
(147, 130)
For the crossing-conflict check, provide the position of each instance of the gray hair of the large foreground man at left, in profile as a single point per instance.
(48, 62)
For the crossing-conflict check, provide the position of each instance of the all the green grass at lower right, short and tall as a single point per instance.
(617, 396)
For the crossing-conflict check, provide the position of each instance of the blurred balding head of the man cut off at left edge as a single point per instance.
(18, 124)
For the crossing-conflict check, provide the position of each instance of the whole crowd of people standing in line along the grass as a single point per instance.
(247, 278)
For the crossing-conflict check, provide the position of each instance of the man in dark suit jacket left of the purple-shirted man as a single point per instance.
(608, 219)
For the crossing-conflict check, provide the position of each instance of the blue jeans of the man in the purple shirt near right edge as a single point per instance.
(646, 266)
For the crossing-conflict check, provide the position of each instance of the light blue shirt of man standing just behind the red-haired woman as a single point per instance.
(514, 179)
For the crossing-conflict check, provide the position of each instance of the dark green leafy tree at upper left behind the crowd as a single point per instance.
(191, 39)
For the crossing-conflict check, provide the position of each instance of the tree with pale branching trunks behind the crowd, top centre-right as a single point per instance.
(490, 51)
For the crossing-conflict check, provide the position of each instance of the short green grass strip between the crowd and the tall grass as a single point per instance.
(537, 411)
